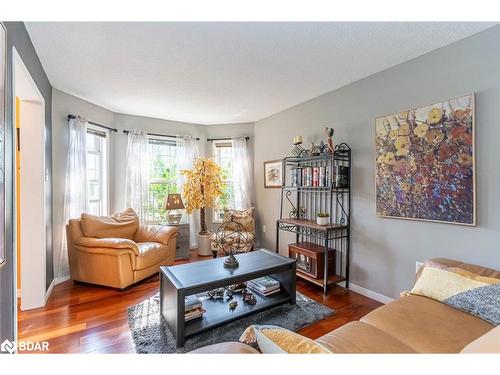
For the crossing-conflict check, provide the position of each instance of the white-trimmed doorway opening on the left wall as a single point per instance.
(30, 186)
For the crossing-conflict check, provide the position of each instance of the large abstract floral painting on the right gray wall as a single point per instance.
(425, 163)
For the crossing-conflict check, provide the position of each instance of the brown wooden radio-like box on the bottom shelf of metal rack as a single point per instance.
(310, 258)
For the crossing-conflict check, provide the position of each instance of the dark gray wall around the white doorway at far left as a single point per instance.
(19, 38)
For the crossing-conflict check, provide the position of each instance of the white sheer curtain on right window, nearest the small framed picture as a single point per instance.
(242, 174)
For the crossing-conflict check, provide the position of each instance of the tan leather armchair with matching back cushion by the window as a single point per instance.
(116, 251)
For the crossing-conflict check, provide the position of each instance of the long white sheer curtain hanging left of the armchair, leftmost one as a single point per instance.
(75, 191)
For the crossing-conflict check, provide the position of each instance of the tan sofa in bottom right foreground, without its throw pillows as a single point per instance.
(411, 324)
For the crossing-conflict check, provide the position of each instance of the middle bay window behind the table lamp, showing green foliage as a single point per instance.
(163, 176)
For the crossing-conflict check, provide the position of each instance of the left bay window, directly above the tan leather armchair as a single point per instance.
(97, 170)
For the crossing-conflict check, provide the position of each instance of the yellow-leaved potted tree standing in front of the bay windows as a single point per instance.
(202, 188)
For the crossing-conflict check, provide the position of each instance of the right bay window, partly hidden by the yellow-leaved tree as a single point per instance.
(223, 156)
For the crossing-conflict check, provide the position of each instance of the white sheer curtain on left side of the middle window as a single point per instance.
(137, 174)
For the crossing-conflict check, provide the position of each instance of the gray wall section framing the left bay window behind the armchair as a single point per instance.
(63, 105)
